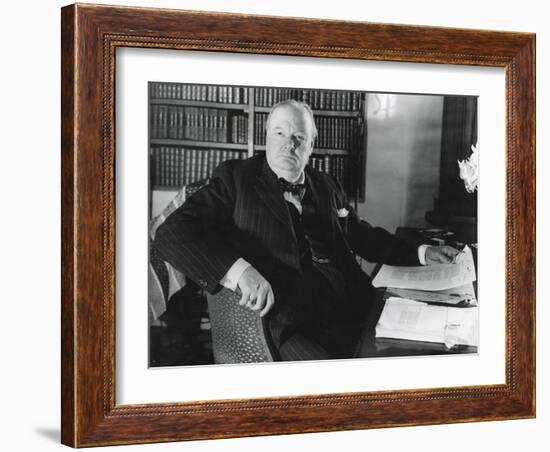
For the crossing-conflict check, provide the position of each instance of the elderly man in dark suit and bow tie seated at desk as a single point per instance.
(284, 235)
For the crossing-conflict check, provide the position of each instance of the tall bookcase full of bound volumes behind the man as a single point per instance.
(194, 127)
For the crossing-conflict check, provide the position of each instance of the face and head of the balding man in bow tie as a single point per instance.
(289, 141)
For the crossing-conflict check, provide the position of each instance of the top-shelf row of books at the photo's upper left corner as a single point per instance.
(203, 93)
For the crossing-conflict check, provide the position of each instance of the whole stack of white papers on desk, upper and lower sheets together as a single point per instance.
(435, 303)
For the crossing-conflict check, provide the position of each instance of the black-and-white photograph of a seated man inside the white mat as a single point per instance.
(297, 224)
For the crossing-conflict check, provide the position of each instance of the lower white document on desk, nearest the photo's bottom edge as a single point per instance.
(413, 320)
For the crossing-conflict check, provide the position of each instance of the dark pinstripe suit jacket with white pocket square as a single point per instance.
(242, 213)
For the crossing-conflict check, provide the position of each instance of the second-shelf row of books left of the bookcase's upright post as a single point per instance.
(200, 124)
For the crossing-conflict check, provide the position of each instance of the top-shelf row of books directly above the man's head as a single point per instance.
(317, 99)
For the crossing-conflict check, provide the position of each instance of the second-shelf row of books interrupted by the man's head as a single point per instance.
(332, 133)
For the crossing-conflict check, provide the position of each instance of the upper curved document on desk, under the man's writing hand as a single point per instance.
(429, 277)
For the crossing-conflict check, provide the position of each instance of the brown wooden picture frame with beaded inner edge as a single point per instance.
(90, 37)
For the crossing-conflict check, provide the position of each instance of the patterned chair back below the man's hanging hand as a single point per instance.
(238, 334)
